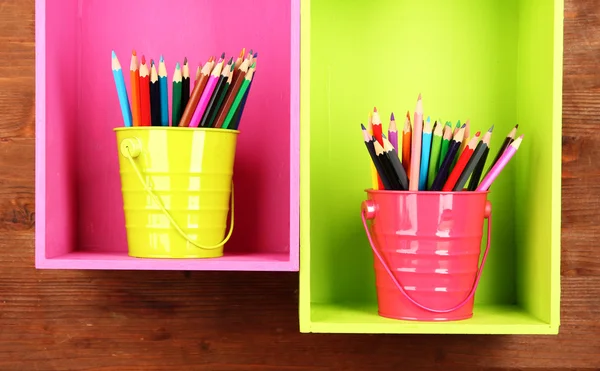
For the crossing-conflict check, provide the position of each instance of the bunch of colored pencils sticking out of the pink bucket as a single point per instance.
(433, 157)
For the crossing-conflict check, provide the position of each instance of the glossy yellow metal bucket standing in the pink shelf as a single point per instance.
(177, 189)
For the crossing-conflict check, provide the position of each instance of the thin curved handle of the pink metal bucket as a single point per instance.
(368, 212)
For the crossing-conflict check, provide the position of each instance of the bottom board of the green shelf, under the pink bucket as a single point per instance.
(361, 318)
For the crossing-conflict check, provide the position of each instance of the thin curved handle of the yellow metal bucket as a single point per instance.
(131, 148)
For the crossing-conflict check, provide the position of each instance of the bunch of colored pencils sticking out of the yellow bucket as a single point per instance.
(217, 99)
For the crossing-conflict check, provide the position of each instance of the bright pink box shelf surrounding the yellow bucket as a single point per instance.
(79, 215)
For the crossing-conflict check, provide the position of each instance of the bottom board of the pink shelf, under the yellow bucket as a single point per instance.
(121, 261)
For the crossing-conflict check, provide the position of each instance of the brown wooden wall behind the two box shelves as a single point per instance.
(109, 321)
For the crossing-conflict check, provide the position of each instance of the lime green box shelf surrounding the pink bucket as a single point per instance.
(493, 62)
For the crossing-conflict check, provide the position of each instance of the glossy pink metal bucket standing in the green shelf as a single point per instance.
(427, 248)
